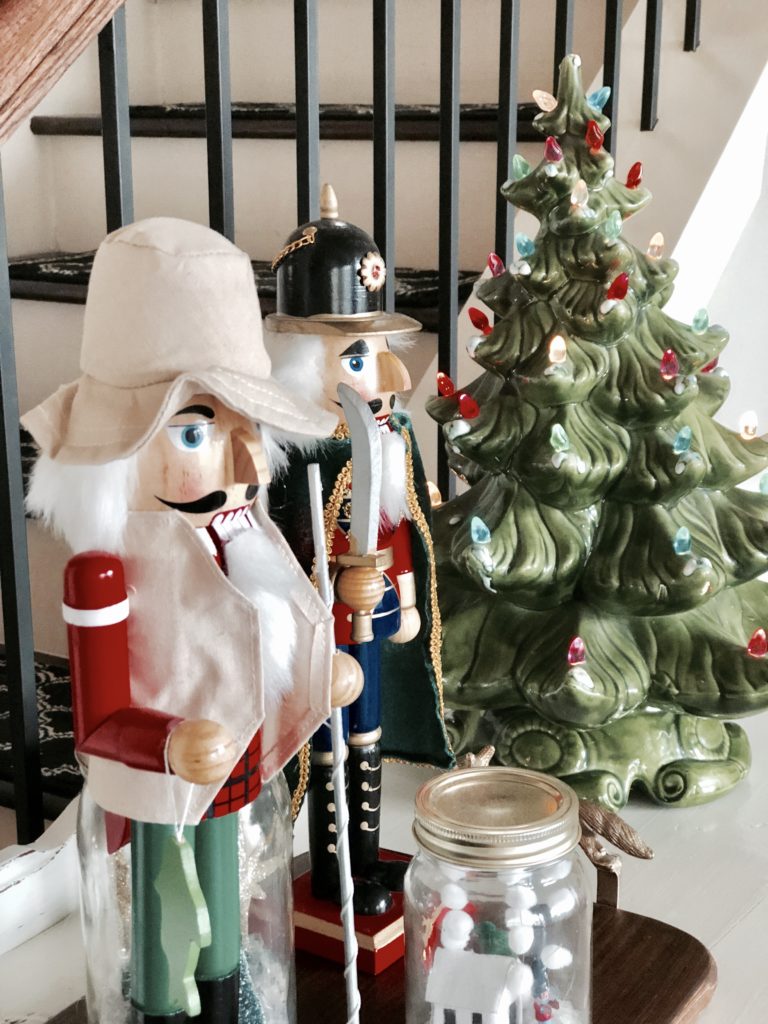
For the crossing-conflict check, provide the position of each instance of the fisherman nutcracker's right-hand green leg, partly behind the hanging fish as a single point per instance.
(219, 967)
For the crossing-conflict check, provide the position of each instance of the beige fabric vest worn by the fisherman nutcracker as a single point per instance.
(196, 652)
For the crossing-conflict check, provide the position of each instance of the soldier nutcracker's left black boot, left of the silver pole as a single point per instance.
(370, 897)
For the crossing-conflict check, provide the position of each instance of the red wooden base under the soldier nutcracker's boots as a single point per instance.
(319, 930)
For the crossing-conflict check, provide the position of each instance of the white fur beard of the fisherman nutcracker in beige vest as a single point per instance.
(257, 570)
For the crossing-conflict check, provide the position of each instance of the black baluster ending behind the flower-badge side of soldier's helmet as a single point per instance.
(383, 27)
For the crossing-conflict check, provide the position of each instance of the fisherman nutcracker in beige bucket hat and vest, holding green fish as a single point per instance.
(201, 654)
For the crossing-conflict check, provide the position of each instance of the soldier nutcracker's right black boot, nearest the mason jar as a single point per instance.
(365, 815)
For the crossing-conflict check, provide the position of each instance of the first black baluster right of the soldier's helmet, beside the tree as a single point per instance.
(449, 212)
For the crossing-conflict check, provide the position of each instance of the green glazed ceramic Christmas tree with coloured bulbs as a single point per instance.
(602, 612)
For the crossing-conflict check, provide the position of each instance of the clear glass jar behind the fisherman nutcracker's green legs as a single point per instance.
(267, 983)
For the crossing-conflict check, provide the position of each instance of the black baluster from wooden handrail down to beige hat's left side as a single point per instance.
(116, 127)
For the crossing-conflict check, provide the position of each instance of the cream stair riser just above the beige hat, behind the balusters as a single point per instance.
(170, 179)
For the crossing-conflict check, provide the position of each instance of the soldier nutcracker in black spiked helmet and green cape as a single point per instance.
(330, 328)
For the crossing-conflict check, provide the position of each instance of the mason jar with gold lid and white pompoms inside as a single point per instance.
(498, 917)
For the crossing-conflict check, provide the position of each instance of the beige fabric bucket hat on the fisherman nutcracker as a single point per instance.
(173, 311)
